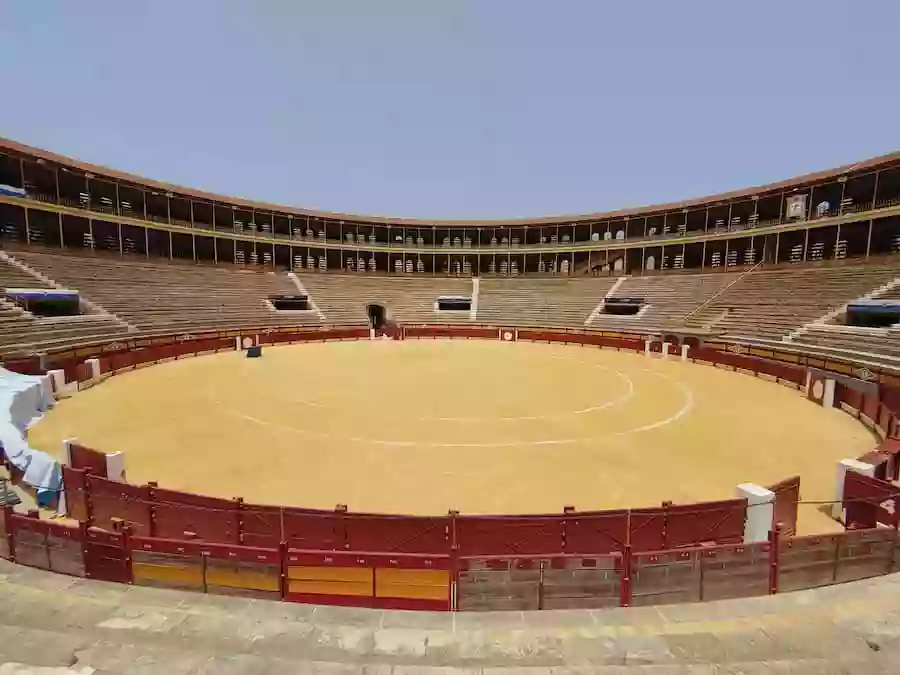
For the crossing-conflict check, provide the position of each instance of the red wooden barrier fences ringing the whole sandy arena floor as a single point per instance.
(147, 535)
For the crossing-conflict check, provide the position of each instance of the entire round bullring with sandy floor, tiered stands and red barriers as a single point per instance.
(639, 440)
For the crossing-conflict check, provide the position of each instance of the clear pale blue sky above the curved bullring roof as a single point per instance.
(457, 108)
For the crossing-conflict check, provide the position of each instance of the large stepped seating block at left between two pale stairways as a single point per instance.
(171, 296)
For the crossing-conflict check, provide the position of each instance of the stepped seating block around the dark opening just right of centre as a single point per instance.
(668, 300)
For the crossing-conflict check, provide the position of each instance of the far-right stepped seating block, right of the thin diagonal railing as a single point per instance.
(770, 304)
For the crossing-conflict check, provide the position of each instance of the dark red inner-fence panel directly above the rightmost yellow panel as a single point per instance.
(401, 534)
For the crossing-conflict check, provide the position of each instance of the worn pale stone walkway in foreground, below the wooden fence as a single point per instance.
(68, 625)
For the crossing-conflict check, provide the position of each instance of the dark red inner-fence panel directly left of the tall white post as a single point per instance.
(706, 522)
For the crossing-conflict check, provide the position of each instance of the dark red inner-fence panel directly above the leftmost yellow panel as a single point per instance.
(181, 515)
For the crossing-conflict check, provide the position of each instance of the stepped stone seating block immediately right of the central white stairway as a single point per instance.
(540, 302)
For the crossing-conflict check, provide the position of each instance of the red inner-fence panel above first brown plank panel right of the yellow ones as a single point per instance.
(509, 535)
